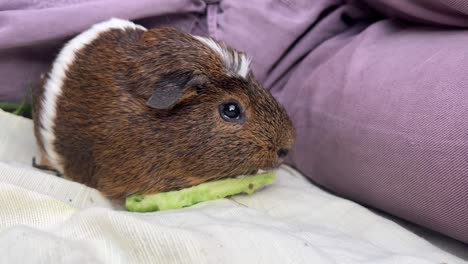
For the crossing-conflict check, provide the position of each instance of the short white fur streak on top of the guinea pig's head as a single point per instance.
(237, 62)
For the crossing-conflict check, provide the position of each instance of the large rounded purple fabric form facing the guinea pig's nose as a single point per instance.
(382, 119)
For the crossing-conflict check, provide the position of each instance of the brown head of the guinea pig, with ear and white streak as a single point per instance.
(209, 114)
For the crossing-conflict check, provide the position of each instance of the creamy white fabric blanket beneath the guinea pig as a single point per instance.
(45, 219)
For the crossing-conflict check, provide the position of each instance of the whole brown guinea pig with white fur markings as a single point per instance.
(125, 109)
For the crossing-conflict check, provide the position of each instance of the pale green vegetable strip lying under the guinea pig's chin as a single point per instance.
(203, 192)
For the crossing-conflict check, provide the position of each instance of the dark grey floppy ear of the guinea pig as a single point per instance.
(173, 88)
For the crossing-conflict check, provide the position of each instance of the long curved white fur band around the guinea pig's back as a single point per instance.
(54, 84)
